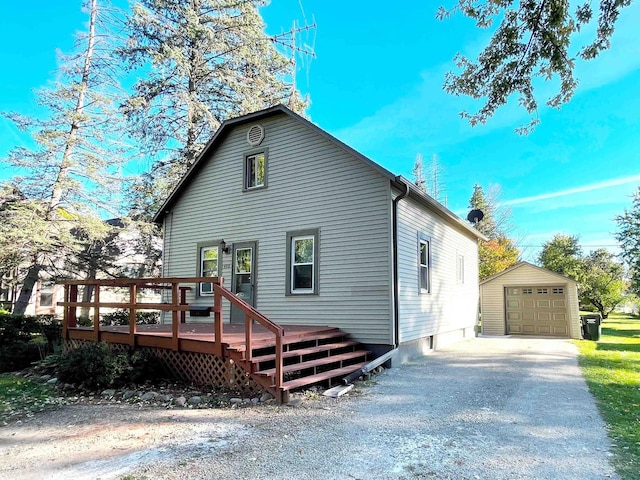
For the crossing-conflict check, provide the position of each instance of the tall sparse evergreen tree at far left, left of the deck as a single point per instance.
(69, 173)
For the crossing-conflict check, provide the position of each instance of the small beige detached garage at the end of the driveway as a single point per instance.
(529, 300)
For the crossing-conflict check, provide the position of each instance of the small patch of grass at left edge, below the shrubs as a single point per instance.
(20, 397)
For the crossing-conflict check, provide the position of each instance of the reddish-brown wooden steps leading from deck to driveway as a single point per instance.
(322, 355)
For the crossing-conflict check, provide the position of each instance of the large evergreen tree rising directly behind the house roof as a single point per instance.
(203, 61)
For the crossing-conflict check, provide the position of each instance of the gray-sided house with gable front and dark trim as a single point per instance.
(310, 231)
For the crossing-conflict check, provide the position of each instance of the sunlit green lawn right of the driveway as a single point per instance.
(611, 367)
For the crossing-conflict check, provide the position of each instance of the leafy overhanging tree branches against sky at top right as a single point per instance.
(533, 39)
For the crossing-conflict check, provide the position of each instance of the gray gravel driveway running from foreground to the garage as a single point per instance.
(487, 408)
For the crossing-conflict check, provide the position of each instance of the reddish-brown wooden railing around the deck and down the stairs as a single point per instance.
(177, 306)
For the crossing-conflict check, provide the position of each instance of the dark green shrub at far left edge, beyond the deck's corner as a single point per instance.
(25, 339)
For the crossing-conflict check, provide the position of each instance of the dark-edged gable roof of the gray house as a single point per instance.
(397, 181)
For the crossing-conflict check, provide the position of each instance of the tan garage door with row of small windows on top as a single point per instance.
(537, 310)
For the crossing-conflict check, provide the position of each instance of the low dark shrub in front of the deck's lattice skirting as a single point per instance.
(96, 365)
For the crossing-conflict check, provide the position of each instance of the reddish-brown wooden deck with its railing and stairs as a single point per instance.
(263, 349)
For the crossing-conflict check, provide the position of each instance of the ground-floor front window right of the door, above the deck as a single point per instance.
(302, 262)
